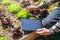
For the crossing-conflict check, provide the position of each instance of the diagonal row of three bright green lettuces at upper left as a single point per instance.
(16, 9)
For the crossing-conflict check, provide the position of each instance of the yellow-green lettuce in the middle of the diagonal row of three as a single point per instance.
(14, 8)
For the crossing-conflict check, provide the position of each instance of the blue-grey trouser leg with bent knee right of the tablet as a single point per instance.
(52, 18)
